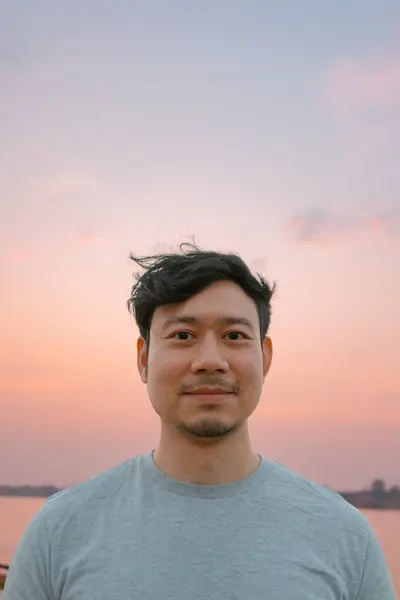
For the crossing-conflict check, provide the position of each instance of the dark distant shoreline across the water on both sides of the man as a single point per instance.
(378, 497)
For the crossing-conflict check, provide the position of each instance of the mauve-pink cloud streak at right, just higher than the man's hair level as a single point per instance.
(319, 226)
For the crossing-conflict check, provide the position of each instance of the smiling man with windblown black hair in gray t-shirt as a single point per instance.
(203, 516)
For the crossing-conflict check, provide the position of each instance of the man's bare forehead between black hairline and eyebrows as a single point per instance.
(218, 301)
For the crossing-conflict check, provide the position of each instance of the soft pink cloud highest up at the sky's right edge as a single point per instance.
(352, 85)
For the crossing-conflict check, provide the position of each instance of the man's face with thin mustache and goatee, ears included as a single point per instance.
(206, 365)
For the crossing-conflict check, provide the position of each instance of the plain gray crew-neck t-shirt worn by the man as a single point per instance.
(134, 533)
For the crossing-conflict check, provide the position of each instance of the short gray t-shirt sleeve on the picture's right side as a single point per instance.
(376, 582)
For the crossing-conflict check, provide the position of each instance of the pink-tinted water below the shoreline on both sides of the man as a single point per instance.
(15, 514)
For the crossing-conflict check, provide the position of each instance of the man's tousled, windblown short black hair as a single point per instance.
(173, 278)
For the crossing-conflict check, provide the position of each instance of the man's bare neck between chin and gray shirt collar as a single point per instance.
(211, 463)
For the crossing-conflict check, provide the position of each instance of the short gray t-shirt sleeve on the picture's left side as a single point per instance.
(28, 576)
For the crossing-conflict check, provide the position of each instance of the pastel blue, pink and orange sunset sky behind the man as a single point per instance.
(265, 128)
